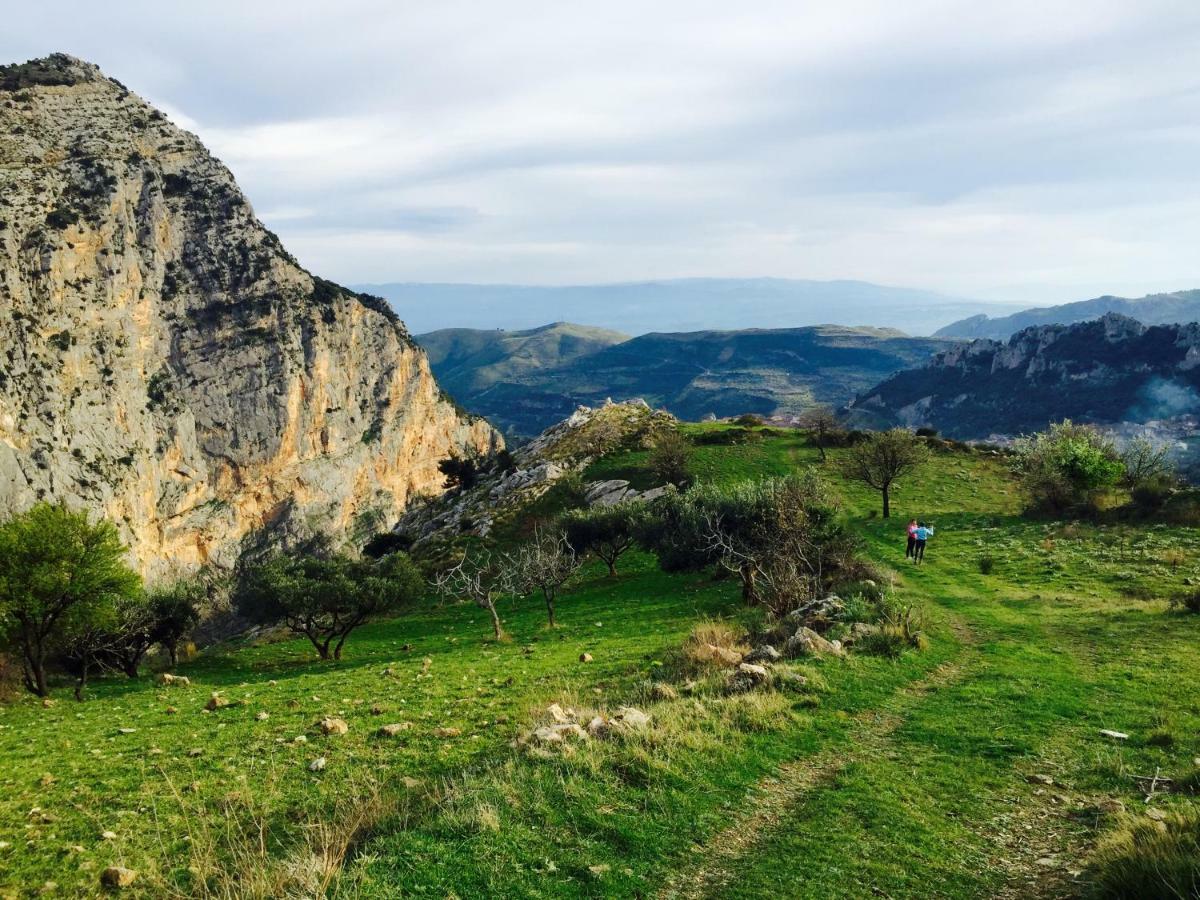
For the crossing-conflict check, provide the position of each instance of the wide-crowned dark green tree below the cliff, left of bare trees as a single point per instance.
(326, 599)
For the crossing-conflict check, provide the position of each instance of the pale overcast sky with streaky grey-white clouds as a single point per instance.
(1028, 151)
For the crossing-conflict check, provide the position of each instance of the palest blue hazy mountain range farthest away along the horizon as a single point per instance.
(680, 305)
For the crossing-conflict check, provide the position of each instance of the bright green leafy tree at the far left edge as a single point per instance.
(59, 574)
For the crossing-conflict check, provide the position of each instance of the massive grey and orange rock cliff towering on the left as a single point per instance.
(166, 363)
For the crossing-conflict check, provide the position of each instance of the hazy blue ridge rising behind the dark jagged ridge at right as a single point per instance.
(1151, 310)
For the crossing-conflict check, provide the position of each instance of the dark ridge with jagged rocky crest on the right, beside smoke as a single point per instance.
(1109, 370)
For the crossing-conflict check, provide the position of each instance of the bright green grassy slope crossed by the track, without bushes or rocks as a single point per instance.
(975, 769)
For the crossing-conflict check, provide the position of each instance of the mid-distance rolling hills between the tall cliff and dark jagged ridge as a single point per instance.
(526, 381)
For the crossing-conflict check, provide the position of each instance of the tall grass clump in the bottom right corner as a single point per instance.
(1148, 860)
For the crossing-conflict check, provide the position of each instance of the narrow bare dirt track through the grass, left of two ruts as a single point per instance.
(778, 795)
